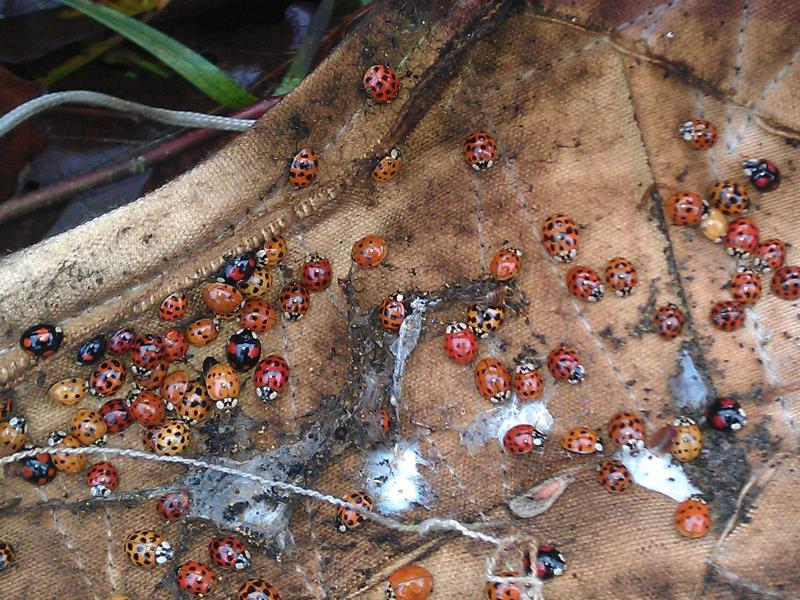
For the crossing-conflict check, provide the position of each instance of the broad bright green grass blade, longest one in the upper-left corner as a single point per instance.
(205, 76)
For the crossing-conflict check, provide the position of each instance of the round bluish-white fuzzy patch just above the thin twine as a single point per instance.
(394, 480)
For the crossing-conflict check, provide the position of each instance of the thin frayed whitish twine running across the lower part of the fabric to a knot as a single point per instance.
(532, 582)
